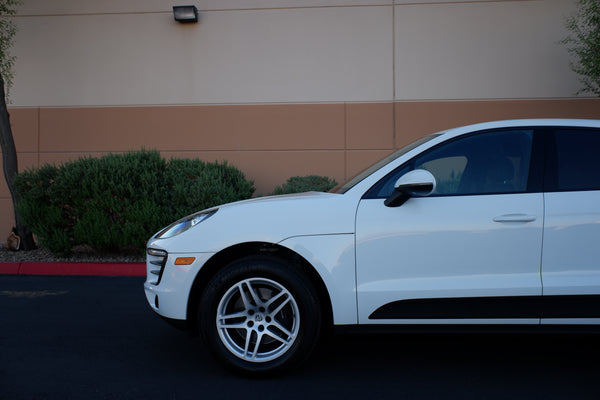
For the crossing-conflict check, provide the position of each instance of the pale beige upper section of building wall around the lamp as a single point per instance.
(131, 52)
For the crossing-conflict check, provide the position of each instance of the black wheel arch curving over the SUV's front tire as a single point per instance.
(238, 251)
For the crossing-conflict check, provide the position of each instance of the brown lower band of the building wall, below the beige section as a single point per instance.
(268, 142)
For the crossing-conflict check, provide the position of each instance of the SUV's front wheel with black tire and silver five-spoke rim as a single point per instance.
(260, 315)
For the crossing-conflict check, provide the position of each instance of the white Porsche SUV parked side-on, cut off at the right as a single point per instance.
(490, 224)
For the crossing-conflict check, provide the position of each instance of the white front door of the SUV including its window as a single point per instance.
(468, 253)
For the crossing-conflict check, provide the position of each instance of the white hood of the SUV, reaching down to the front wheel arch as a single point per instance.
(270, 219)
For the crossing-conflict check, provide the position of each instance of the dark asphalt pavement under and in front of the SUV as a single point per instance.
(95, 338)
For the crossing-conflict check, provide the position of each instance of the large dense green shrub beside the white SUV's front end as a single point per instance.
(116, 202)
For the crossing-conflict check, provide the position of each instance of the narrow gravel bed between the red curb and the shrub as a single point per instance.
(79, 255)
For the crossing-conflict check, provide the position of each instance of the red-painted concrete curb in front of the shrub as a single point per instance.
(69, 268)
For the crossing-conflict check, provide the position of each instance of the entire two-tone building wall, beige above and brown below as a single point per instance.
(279, 87)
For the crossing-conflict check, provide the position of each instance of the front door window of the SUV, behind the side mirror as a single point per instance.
(493, 162)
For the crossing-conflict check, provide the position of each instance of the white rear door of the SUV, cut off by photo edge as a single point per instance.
(571, 256)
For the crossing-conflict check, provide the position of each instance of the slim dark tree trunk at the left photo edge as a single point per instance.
(10, 167)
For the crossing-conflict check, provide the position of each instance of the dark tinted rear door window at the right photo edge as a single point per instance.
(577, 160)
